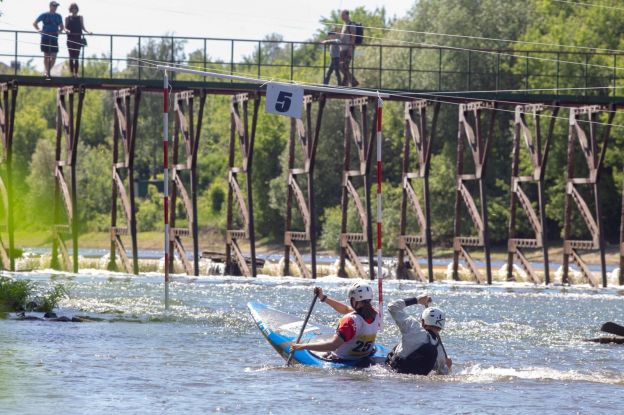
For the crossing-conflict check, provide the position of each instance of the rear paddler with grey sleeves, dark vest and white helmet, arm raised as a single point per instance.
(420, 350)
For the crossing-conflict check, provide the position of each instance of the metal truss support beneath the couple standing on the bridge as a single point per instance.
(66, 225)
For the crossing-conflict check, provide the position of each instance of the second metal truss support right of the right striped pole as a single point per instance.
(470, 130)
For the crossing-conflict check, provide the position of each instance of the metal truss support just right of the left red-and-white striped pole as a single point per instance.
(186, 171)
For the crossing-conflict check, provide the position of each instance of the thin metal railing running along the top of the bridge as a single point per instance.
(384, 66)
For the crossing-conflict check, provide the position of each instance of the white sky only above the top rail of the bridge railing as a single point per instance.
(294, 19)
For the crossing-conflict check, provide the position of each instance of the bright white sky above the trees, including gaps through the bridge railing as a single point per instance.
(295, 20)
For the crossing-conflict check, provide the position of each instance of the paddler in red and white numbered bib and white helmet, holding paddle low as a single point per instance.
(357, 330)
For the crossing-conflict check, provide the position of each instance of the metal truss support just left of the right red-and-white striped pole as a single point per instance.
(357, 130)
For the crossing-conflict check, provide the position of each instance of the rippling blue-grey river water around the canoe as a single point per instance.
(516, 348)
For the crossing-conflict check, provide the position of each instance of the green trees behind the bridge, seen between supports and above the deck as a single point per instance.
(544, 21)
